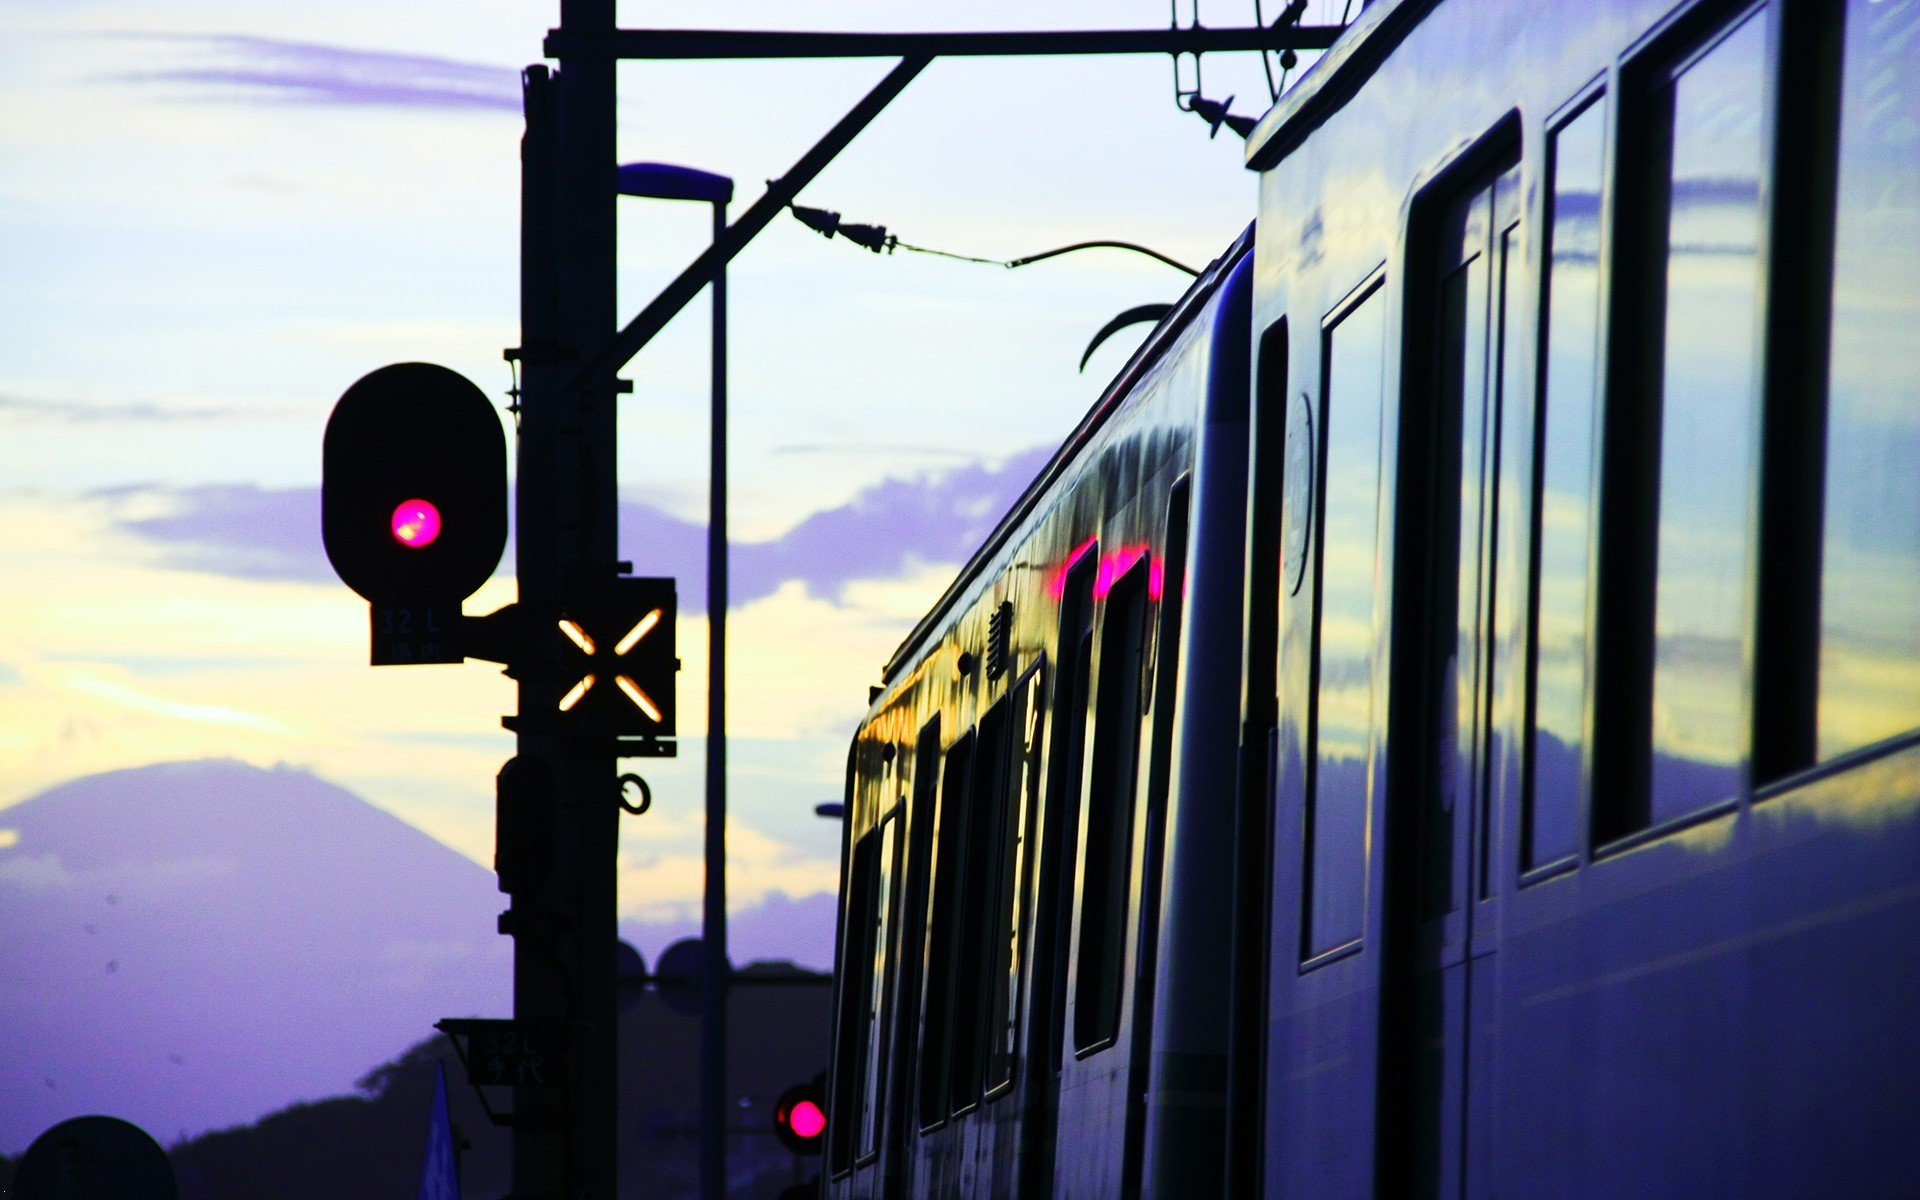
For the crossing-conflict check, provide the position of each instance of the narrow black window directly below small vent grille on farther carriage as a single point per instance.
(972, 915)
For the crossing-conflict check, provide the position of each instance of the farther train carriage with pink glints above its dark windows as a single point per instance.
(1011, 800)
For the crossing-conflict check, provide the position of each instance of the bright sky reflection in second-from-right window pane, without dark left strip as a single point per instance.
(1710, 420)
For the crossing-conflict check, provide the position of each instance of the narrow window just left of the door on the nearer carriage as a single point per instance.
(1341, 721)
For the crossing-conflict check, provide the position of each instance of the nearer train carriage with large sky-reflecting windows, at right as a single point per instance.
(1589, 627)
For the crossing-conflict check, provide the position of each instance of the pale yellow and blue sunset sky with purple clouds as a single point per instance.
(216, 216)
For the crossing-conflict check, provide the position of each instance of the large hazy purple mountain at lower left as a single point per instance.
(193, 946)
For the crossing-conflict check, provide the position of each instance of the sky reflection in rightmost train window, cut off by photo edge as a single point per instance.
(1871, 573)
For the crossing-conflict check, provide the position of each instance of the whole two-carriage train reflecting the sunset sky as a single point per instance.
(1520, 790)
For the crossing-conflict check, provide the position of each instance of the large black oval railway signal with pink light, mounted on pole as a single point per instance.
(414, 504)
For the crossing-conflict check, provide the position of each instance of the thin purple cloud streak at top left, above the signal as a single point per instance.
(272, 70)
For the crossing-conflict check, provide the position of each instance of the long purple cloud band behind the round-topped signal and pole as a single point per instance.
(251, 533)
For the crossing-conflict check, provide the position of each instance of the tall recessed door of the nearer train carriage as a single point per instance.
(1445, 663)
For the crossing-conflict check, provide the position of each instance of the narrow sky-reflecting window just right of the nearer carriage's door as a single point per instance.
(1564, 504)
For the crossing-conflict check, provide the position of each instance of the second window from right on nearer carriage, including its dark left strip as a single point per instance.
(1683, 441)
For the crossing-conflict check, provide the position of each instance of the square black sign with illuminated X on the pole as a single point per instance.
(627, 663)
